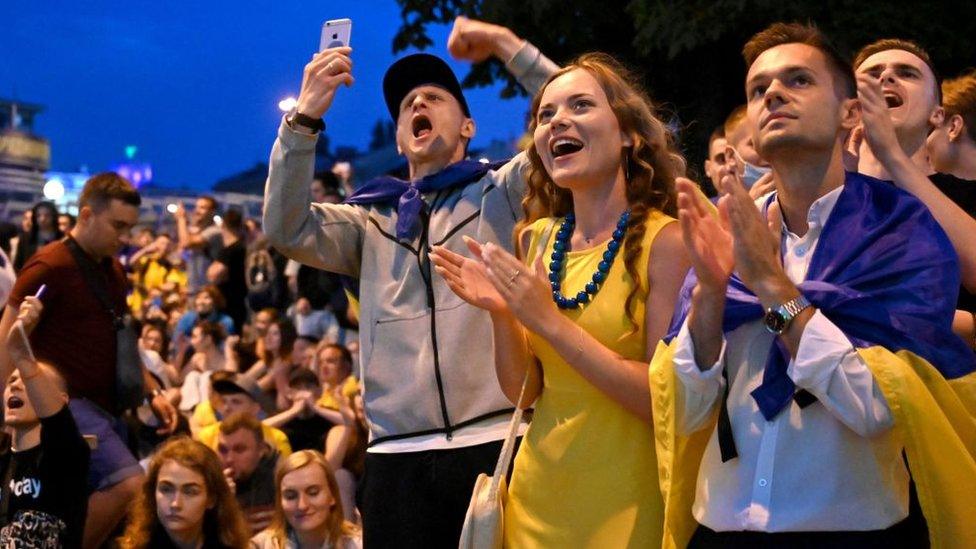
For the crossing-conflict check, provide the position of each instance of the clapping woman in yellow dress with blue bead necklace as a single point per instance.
(576, 320)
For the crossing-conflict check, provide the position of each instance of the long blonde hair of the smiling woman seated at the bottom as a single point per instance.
(336, 524)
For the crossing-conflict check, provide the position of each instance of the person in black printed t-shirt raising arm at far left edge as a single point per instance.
(44, 464)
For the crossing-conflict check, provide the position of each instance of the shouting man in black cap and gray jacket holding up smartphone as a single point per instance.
(436, 413)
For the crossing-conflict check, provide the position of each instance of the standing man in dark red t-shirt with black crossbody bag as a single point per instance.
(78, 336)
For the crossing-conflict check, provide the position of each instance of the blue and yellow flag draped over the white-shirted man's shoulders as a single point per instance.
(886, 274)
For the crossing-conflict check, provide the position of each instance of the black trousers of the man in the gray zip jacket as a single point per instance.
(418, 499)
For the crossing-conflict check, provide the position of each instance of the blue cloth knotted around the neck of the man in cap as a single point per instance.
(409, 194)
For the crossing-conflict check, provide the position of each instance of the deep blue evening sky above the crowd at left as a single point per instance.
(195, 85)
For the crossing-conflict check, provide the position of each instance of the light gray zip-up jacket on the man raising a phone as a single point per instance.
(427, 357)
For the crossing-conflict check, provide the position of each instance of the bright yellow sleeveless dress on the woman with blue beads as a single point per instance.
(586, 472)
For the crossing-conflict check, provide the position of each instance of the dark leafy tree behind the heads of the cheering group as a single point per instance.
(689, 51)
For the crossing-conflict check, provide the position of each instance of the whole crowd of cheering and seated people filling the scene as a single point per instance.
(781, 355)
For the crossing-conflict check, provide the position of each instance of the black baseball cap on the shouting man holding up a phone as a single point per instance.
(416, 70)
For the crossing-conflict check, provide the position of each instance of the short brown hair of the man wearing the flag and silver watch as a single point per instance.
(779, 34)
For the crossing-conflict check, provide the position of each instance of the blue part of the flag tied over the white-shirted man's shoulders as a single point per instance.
(883, 271)
